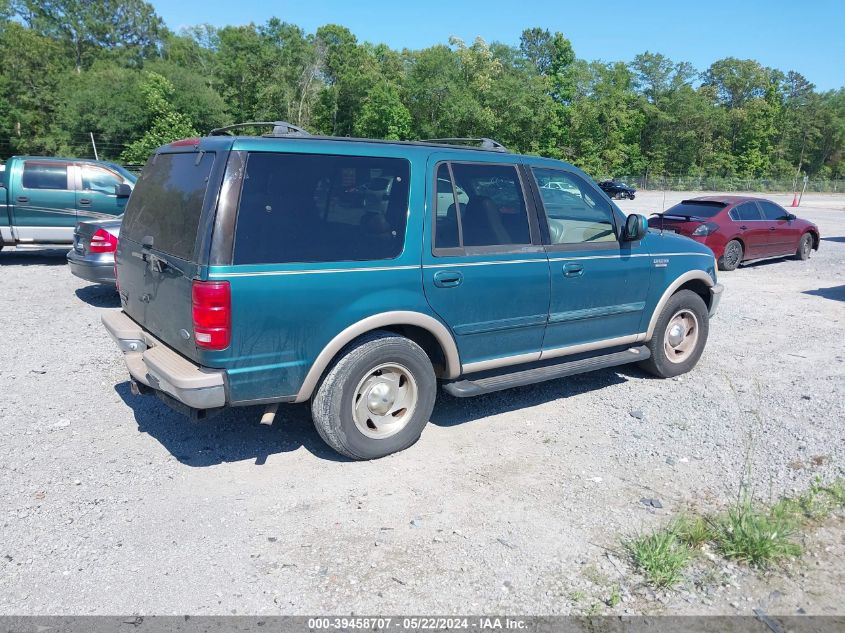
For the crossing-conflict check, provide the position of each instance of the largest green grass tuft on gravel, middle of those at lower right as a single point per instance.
(757, 536)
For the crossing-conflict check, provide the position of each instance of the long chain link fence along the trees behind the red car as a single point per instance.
(719, 183)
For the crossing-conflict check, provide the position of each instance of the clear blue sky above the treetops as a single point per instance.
(808, 37)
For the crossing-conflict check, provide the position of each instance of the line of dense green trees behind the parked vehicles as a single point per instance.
(69, 68)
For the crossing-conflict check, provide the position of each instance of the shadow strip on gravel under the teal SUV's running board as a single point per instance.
(451, 411)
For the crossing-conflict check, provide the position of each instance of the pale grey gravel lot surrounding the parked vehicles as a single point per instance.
(510, 503)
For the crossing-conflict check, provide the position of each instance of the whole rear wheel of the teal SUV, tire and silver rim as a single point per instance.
(380, 370)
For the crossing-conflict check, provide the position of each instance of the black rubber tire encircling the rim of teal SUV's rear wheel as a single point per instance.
(334, 403)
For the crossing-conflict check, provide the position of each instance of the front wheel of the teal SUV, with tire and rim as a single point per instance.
(669, 358)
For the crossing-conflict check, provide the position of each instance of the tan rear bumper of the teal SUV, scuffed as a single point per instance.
(155, 365)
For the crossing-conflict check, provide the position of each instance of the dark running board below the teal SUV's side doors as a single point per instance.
(466, 388)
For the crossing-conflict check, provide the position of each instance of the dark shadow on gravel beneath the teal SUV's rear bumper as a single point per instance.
(232, 436)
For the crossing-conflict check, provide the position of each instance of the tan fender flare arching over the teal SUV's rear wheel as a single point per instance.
(383, 319)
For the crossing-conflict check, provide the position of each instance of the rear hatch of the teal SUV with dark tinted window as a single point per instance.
(157, 253)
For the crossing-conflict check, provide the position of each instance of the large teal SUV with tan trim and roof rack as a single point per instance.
(359, 275)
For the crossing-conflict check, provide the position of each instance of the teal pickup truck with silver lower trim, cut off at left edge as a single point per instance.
(42, 199)
